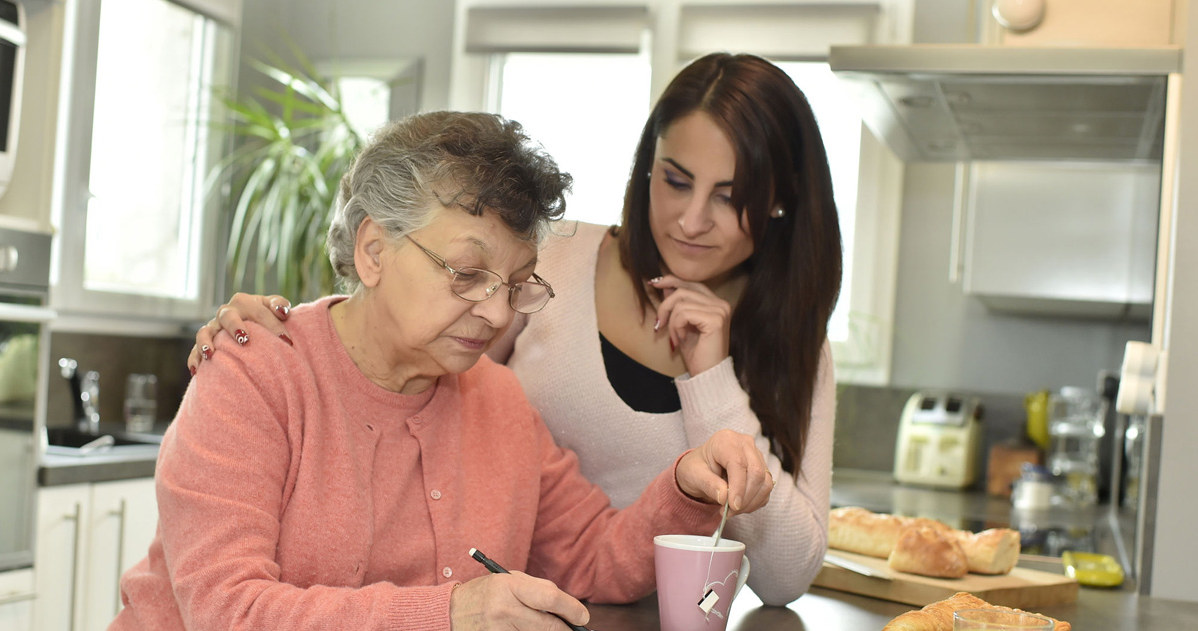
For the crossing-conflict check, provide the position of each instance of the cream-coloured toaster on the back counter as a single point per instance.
(939, 441)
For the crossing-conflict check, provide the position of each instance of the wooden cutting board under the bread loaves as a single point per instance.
(1024, 588)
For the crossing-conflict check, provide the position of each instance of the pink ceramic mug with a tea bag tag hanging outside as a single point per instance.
(698, 583)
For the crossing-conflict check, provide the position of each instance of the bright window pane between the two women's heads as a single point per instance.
(588, 111)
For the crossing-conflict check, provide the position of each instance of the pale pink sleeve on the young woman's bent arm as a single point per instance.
(785, 541)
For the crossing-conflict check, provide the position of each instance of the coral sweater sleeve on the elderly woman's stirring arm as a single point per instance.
(595, 551)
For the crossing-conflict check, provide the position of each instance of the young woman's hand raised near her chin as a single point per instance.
(698, 321)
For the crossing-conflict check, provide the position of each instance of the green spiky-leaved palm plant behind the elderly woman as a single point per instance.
(293, 143)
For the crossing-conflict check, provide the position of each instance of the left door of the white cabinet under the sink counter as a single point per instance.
(60, 555)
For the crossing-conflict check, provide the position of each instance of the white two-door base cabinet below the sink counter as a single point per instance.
(88, 536)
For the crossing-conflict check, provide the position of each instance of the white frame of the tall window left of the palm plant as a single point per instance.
(101, 312)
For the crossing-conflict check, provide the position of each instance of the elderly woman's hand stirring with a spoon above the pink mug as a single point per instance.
(727, 466)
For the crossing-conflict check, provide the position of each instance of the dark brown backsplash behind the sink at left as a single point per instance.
(116, 357)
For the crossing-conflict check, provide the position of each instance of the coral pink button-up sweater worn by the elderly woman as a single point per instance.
(297, 494)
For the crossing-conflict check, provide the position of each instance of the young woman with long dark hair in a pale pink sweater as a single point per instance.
(706, 310)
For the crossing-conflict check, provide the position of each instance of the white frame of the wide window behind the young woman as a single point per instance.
(679, 31)
